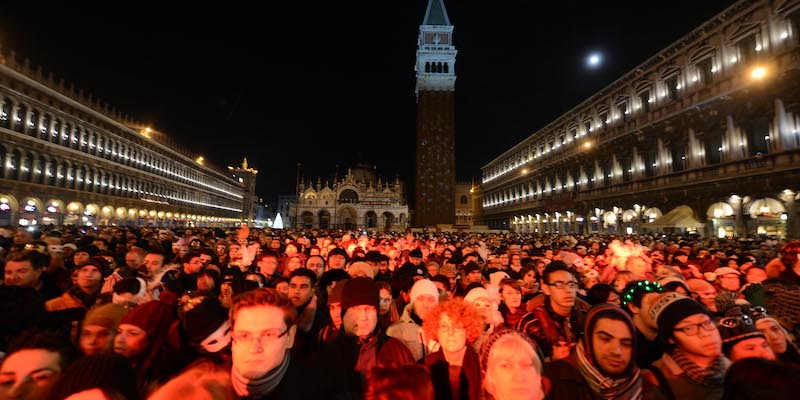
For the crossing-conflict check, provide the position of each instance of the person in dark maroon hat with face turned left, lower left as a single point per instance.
(142, 339)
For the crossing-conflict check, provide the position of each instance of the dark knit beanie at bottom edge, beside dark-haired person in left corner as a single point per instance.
(108, 372)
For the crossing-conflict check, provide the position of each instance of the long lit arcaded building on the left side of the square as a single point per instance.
(65, 158)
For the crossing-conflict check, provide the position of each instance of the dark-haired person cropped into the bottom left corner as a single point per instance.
(34, 363)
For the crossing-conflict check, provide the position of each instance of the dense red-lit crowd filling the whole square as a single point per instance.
(151, 313)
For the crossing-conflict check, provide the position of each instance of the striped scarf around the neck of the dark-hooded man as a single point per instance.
(629, 387)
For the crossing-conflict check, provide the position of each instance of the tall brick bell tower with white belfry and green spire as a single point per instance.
(435, 147)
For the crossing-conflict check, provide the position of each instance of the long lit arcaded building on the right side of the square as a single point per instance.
(701, 137)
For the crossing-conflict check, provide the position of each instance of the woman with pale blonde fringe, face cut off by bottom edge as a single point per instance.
(512, 367)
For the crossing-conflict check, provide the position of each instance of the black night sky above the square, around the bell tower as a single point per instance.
(332, 83)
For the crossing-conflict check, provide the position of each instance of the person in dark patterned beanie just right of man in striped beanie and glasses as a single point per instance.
(740, 337)
